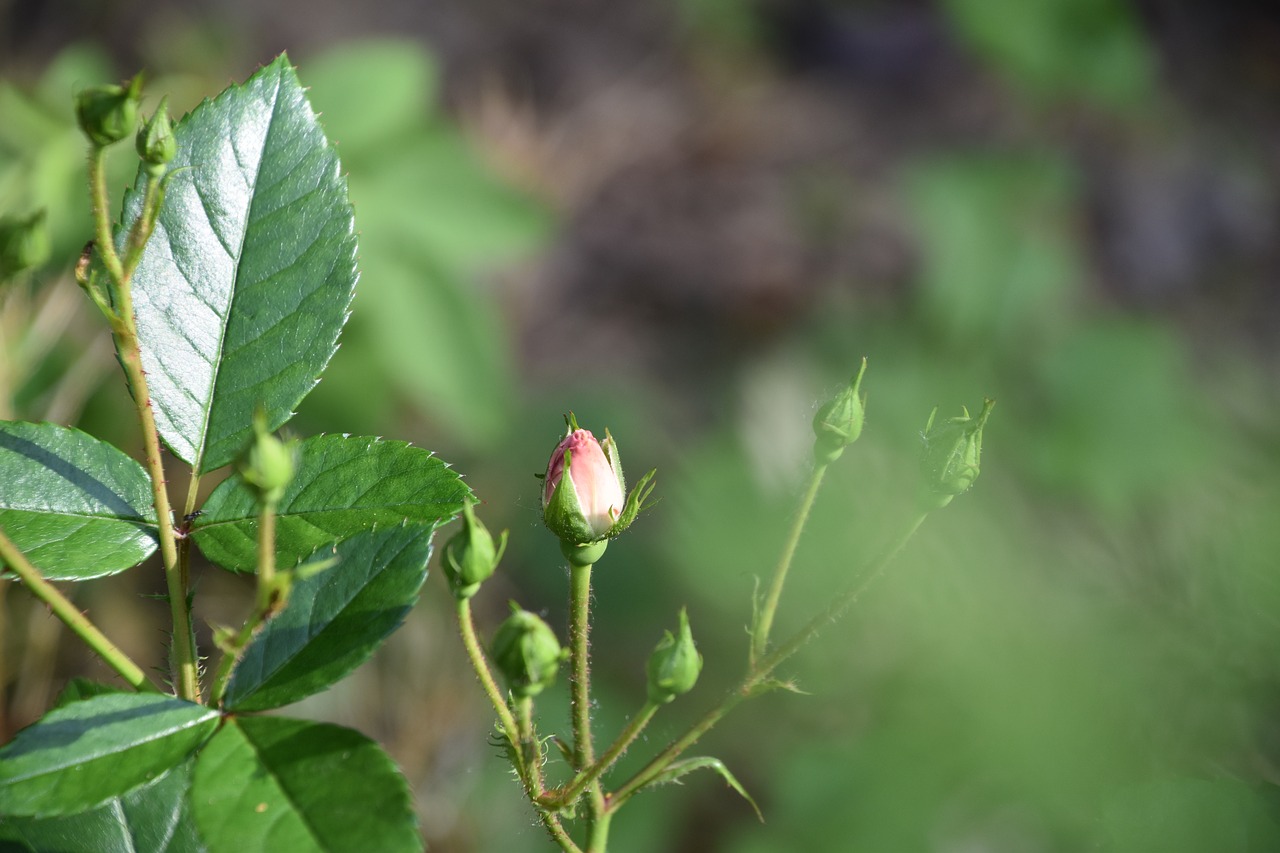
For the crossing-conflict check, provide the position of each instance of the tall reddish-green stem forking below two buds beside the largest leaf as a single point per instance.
(185, 674)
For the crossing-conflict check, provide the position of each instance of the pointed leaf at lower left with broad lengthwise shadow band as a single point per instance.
(77, 758)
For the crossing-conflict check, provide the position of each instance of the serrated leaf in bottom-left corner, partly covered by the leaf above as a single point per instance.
(156, 818)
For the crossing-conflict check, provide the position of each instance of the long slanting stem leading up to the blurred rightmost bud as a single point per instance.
(757, 677)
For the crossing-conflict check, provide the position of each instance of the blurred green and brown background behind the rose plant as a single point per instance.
(688, 221)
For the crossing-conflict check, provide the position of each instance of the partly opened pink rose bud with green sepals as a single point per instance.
(584, 494)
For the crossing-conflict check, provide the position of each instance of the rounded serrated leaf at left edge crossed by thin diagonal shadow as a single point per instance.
(76, 507)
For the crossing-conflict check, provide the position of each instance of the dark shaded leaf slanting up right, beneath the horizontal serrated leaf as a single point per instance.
(335, 621)
